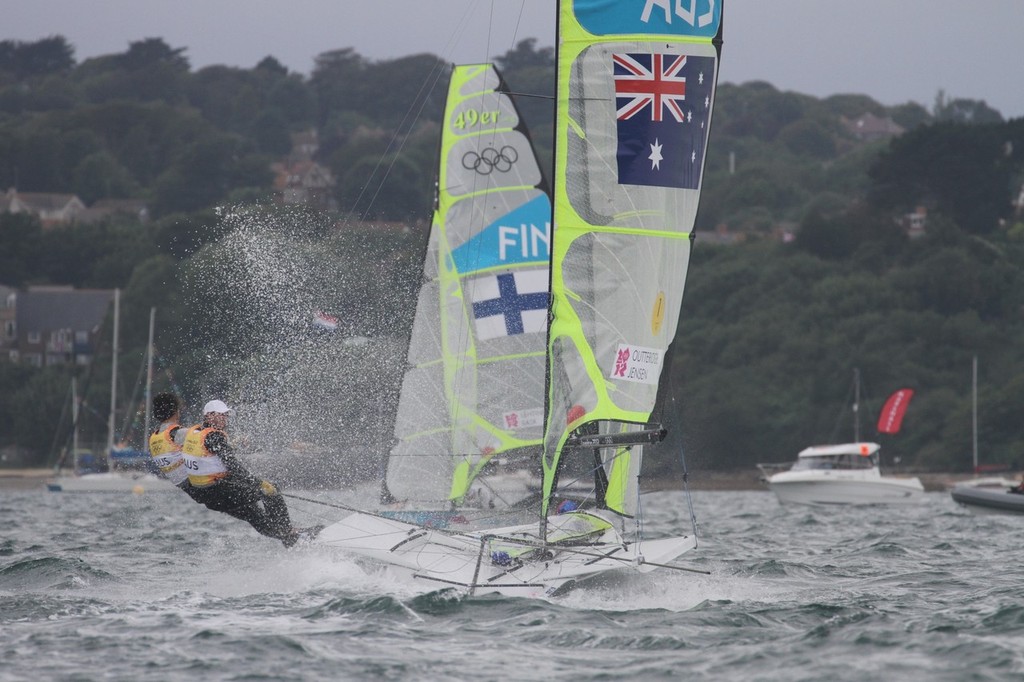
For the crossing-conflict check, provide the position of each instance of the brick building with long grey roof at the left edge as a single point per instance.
(48, 326)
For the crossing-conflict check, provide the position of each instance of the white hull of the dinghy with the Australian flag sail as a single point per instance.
(474, 562)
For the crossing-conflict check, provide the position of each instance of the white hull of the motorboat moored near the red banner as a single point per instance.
(845, 488)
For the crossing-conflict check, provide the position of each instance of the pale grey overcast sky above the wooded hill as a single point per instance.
(892, 51)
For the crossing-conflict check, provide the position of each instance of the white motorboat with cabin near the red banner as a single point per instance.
(842, 475)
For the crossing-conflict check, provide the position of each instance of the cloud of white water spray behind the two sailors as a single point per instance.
(316, 408)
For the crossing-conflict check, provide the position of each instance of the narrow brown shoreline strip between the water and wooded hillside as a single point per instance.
(743, 480)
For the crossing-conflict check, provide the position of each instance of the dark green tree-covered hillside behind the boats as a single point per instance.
(804, 268)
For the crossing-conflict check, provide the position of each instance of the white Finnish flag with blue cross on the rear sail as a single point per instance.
(510, 304)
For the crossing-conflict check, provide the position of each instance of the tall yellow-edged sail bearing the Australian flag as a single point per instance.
(635, 93)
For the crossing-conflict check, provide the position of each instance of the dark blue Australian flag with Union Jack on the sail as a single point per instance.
(663, 105)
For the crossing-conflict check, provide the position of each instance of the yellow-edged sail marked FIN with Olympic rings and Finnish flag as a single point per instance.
(474, 392)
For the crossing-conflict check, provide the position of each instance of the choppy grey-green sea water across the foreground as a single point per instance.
(155, 587)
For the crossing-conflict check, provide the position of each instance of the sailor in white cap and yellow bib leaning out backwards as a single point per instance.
(222, 483)
